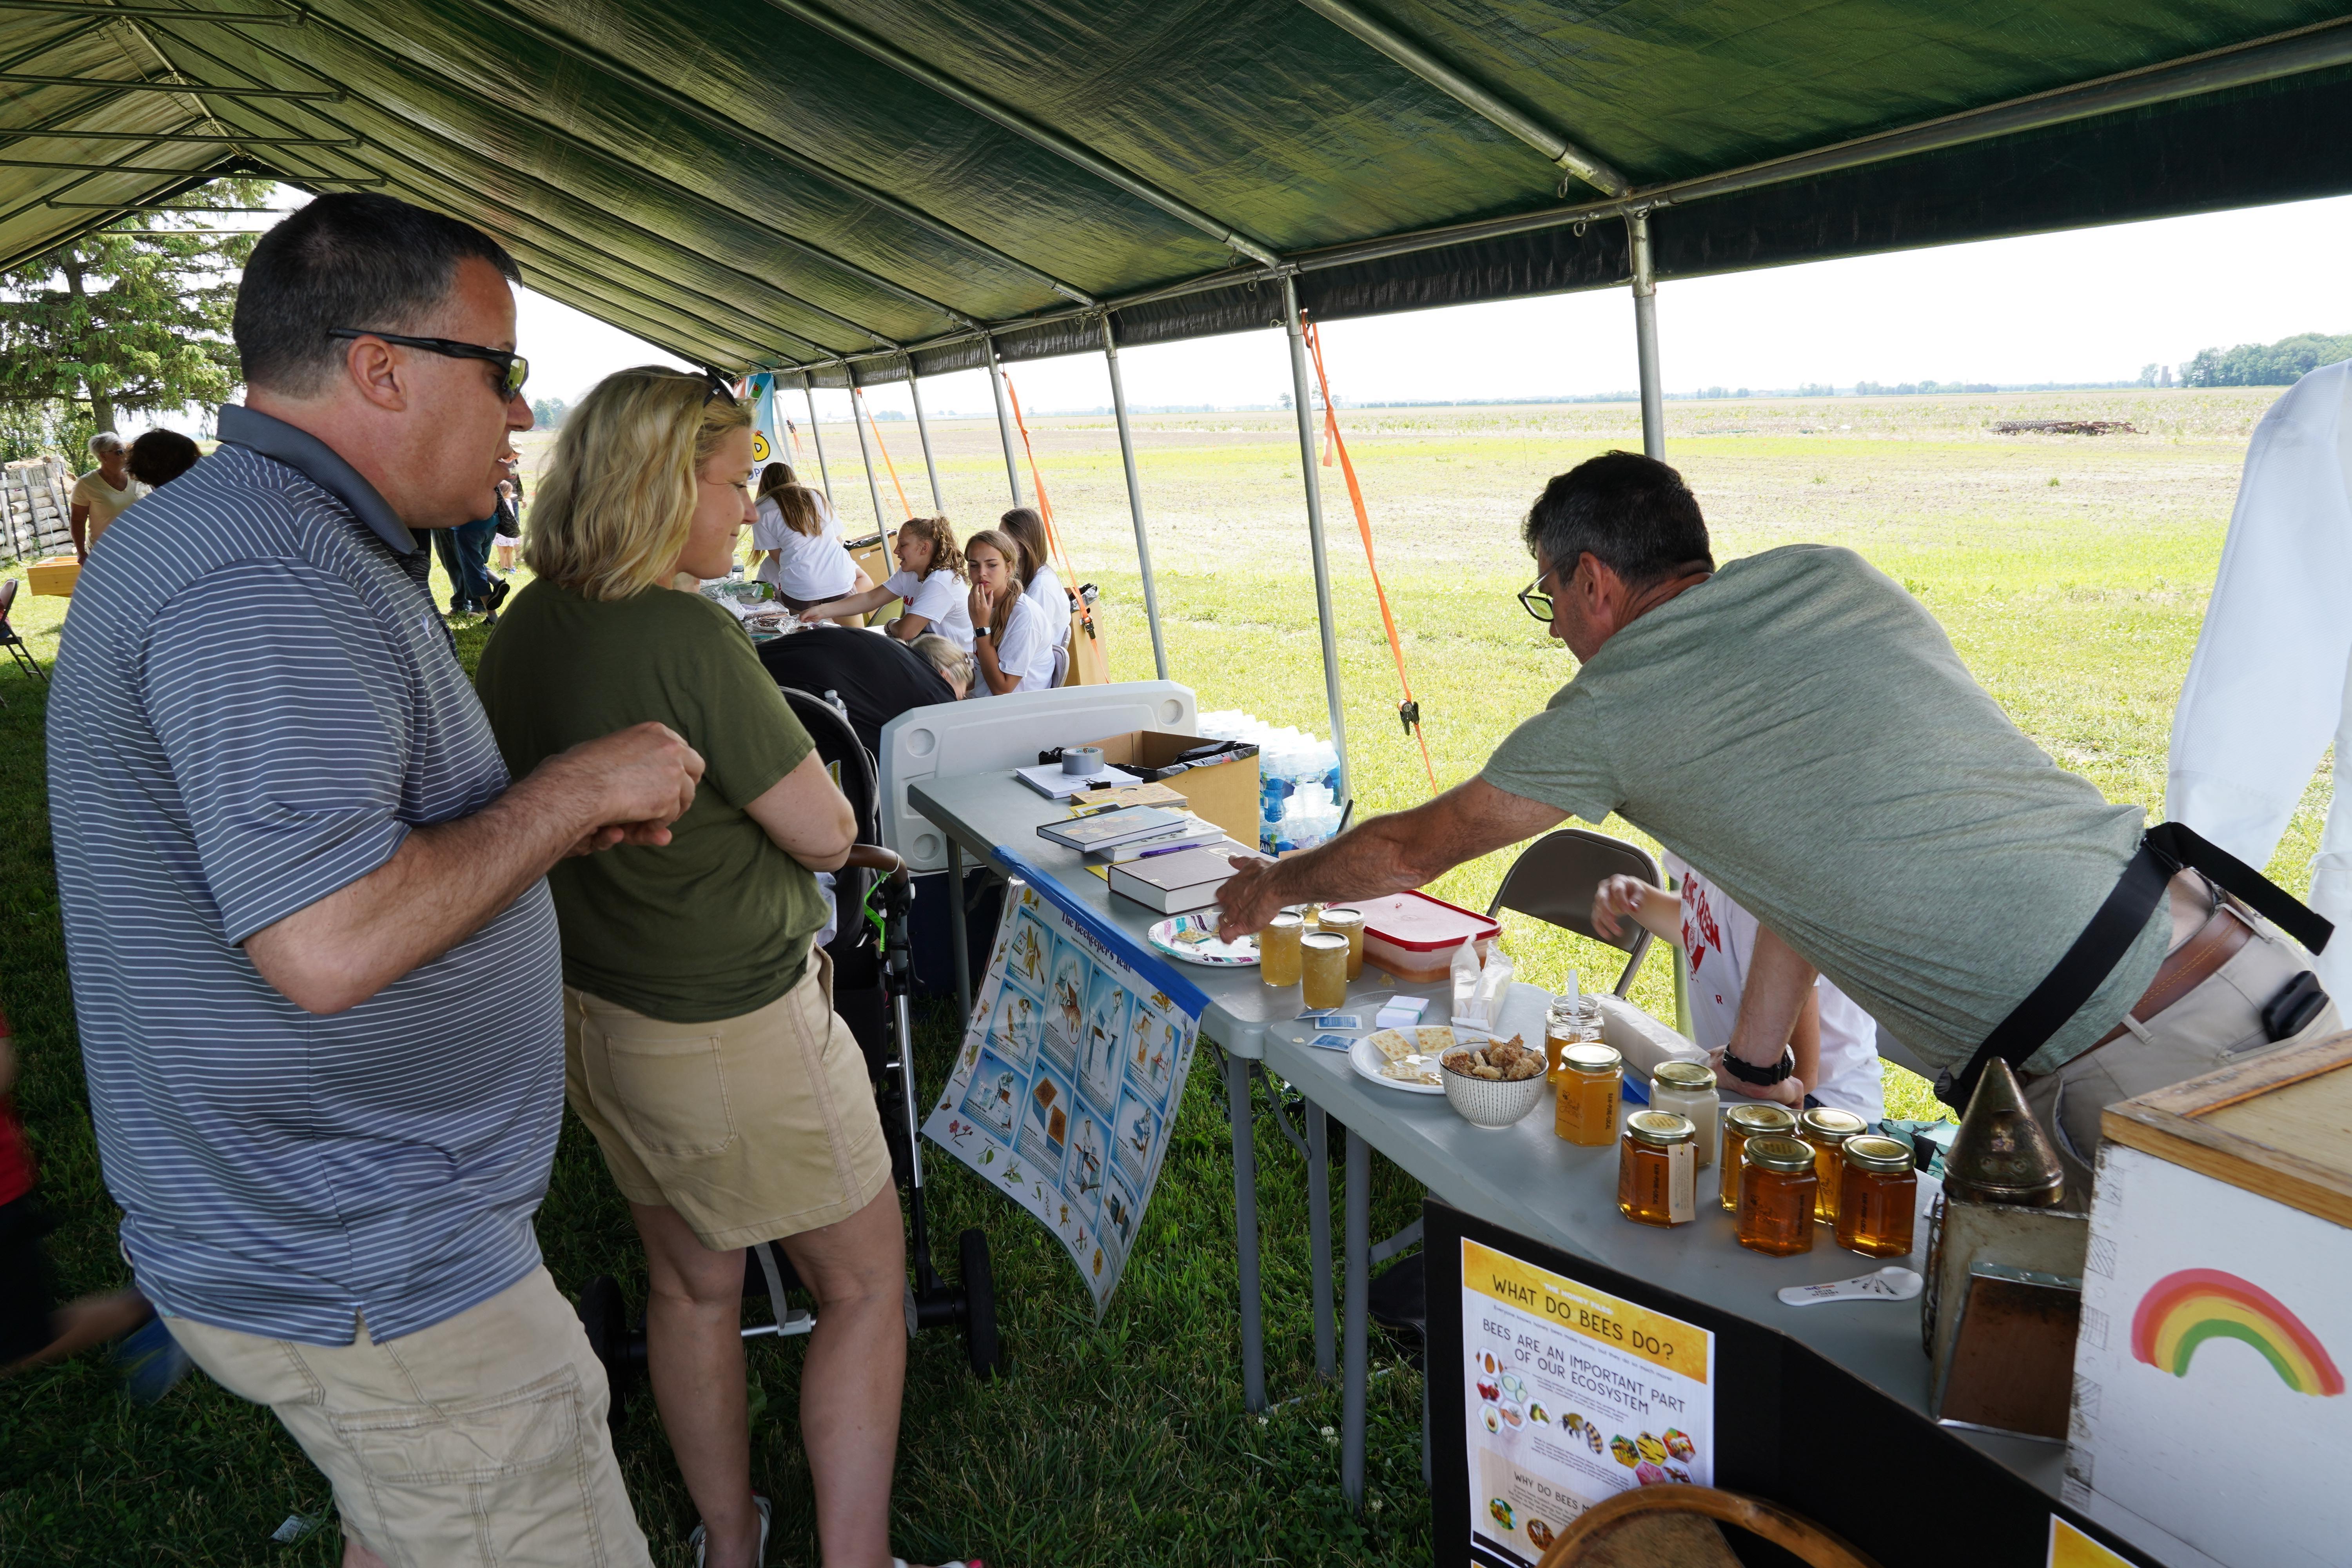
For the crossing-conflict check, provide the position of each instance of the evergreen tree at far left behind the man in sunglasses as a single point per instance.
(126, 319)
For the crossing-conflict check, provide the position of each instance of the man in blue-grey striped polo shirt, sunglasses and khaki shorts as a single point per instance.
(314, 956)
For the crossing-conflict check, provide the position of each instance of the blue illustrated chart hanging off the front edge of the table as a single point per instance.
(1071, 1071)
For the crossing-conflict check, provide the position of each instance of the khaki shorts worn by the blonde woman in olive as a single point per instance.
(751, 1127)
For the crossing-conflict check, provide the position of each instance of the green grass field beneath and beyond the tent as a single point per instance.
(2071, 575)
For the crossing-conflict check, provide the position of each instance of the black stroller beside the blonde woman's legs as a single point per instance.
(871, 989)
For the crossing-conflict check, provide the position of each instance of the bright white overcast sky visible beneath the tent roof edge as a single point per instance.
(2094, 304)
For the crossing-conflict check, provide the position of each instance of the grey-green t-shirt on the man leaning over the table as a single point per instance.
(1803, 732)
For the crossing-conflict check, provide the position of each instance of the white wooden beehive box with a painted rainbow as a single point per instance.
(2210, 1391)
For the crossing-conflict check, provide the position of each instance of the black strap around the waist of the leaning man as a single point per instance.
(2167, 850)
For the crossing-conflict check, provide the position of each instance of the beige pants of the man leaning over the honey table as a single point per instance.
(2214, 1026)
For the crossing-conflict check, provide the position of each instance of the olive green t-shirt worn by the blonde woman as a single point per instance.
(719, 920)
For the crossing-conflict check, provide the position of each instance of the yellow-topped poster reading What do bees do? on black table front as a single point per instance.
(1575, 1398)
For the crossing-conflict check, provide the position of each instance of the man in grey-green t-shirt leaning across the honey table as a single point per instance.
(1800, 730)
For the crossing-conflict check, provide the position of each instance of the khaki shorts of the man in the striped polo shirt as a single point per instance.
(472, 1445)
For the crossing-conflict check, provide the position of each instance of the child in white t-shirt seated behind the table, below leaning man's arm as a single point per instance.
(1836, 1040)
